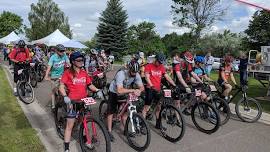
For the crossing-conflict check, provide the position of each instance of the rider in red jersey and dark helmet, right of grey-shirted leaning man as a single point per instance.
(154, 72)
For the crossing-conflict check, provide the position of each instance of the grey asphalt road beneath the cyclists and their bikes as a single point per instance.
(235, 136)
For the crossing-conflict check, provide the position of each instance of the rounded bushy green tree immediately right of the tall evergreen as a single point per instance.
(143, 37)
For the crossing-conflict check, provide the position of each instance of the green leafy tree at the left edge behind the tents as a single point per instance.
(10, 22)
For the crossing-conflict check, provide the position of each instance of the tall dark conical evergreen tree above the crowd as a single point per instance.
(112, 28)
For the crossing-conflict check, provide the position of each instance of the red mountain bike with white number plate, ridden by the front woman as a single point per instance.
(93, 135)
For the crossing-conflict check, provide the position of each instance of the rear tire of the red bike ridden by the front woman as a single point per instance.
(60, 119)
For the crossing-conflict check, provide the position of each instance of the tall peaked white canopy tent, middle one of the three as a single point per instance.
(53, 39)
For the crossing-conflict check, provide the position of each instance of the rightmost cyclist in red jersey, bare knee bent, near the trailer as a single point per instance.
(226, 72)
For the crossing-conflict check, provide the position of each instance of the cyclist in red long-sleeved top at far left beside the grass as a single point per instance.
(19, 56)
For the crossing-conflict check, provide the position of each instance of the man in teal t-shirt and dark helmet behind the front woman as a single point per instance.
(55, 69)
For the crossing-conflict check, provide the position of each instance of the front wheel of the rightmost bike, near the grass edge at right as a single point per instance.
(248, 110)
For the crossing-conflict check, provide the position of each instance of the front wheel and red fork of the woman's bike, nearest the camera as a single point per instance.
(99, 137)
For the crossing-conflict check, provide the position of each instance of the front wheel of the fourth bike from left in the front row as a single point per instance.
(205, 117)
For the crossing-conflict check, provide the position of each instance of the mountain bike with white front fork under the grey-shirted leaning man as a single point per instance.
(136, 130)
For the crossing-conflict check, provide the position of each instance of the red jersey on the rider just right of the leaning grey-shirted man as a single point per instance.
(156, 73)
